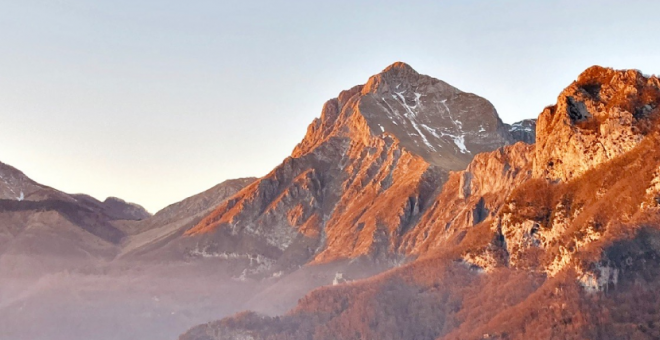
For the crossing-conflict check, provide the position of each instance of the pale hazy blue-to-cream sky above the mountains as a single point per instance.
(154, 101)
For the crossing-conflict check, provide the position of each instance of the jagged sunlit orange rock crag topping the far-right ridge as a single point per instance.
(597, 118)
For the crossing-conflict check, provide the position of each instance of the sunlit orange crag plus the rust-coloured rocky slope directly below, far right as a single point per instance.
(597, 145)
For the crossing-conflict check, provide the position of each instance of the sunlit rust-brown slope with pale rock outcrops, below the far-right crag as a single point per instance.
(565, 219)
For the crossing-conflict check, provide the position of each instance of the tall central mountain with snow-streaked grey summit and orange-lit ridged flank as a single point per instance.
(361, 177)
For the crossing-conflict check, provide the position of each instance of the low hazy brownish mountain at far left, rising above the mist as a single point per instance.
(44, 230)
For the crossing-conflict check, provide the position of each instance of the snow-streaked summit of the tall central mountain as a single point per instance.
(429, 117)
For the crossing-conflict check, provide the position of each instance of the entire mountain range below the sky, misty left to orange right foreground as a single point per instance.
(409, 210)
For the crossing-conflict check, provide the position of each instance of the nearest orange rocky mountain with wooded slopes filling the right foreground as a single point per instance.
(559, 240)
